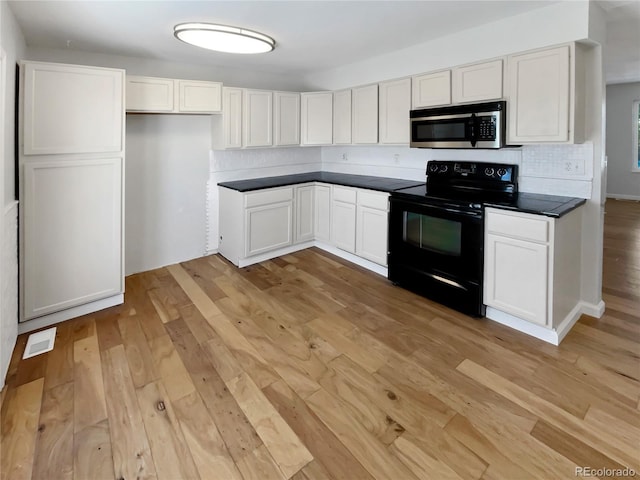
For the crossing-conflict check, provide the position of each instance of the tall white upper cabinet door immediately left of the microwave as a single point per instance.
(395, 104)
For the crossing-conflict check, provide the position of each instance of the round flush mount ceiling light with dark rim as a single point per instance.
(223, 38)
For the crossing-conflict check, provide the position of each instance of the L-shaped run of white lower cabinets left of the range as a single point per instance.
(259, 225)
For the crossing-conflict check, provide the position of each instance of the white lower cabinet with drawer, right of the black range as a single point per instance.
(532, 266)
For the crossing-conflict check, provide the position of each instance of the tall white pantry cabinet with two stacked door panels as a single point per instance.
(71, 171)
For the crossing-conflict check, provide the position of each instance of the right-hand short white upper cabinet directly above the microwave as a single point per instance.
(477, 83)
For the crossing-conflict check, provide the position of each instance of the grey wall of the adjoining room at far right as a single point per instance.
(622, 182)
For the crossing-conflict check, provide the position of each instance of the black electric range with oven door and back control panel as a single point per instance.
(436, 230)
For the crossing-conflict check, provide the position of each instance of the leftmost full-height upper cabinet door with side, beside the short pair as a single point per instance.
(227, 127)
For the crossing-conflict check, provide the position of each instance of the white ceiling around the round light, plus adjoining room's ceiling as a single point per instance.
(310, 35)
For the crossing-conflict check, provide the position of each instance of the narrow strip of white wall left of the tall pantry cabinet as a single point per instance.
(13, 45)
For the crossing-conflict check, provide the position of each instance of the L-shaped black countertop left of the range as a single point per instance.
(380, 184)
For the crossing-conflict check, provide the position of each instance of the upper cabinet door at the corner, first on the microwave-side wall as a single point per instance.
(316, 118)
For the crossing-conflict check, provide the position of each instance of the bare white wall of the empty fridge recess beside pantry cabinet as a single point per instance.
(166, 172)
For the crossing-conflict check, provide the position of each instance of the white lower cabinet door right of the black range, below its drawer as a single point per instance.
(516, 277)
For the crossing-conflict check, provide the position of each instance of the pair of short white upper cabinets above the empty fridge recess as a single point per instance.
(167, 95)
